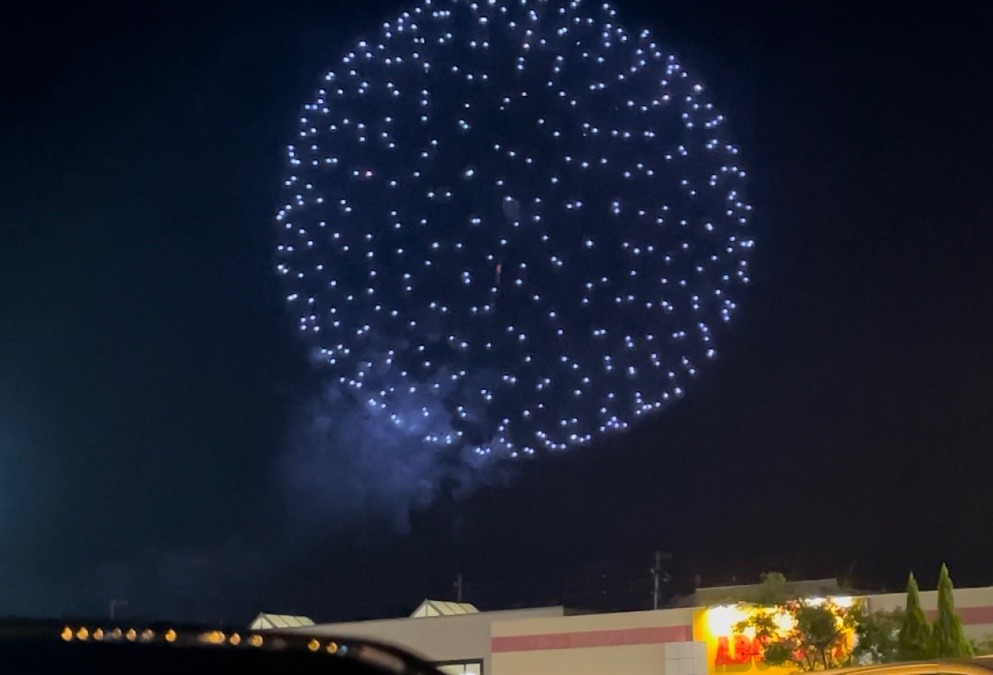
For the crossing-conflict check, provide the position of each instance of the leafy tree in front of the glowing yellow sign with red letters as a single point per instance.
(805, 634)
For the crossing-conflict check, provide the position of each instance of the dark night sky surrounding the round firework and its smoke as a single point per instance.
(148, 370)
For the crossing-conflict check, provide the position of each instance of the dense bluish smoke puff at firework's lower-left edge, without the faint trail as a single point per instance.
(350, 462)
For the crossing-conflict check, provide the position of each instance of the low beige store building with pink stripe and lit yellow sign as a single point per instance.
(551, 641)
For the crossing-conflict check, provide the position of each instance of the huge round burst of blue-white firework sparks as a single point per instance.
(511, 227)
